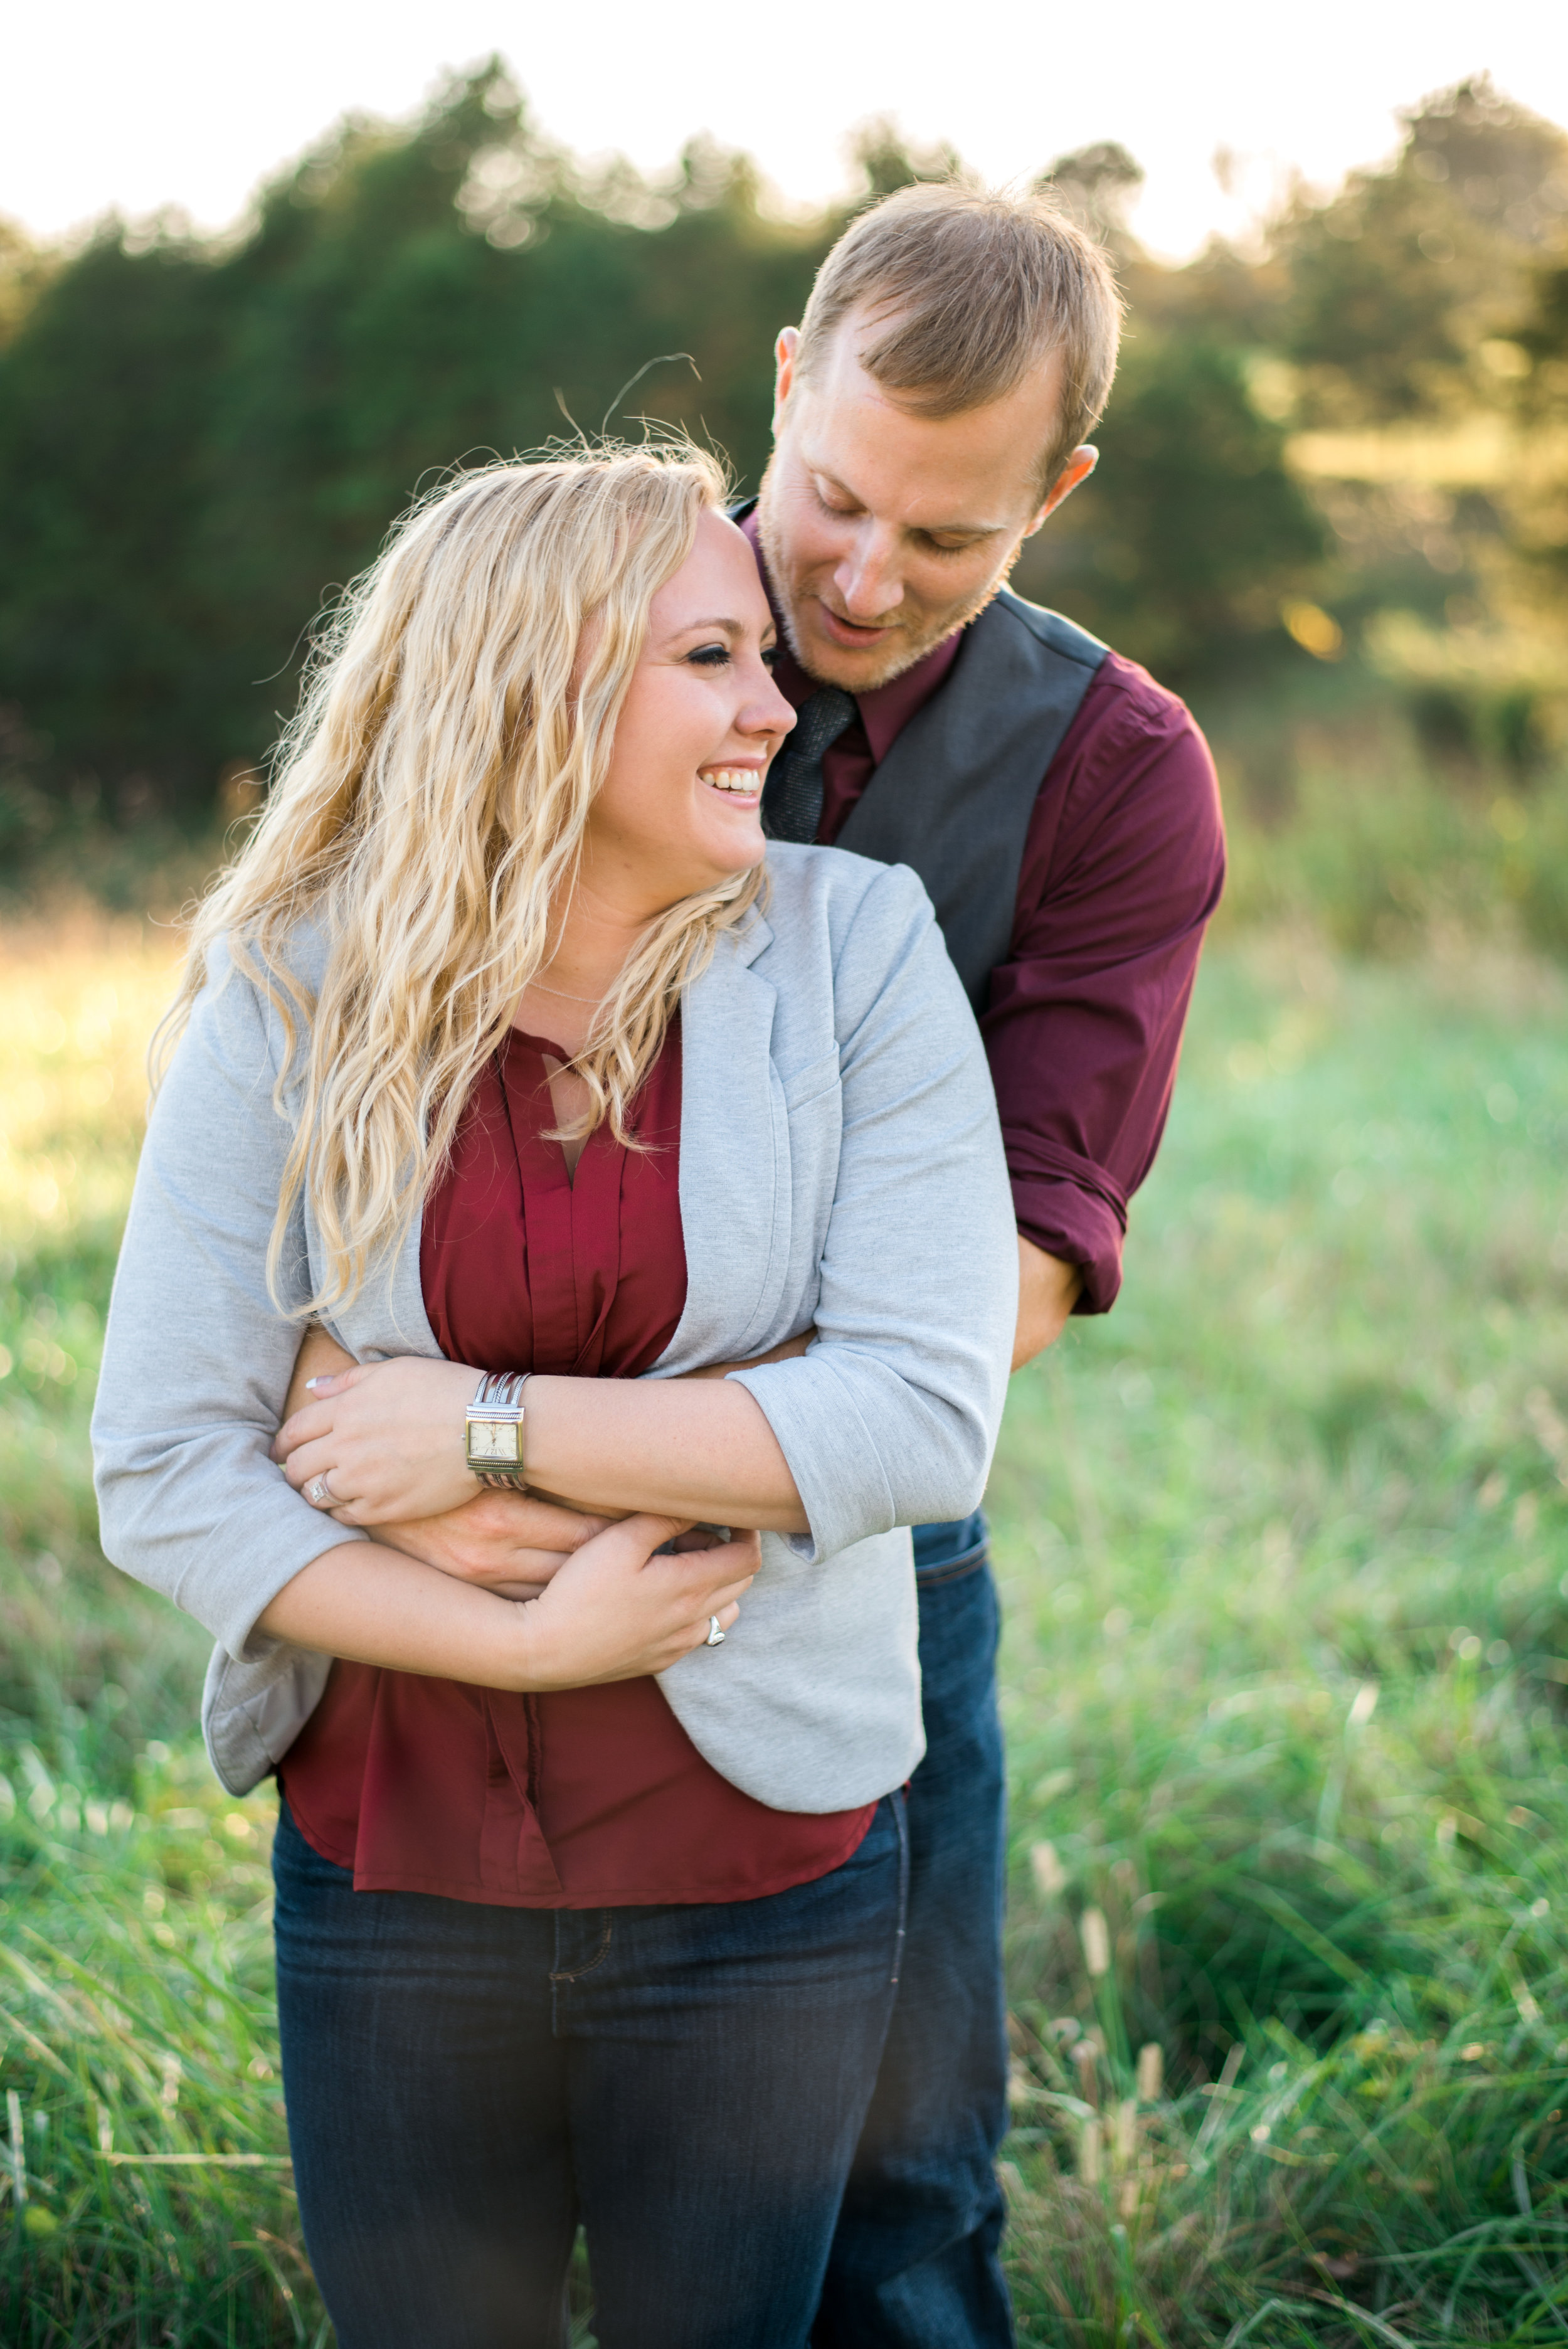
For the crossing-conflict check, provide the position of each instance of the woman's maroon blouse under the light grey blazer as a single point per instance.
(574, 1798)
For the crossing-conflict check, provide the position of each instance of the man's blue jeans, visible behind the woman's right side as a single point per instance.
(917, 2249)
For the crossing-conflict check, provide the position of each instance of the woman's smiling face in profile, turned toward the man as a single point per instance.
(703, 718)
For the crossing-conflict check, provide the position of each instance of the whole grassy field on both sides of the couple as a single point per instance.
(1285, 1547)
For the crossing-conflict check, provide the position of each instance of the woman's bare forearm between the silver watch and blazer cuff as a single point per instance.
(684, 1448)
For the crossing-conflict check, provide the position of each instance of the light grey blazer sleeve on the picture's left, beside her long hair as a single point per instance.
(198, 1359)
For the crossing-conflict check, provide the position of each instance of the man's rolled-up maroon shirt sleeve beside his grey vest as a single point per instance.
(1123, 866)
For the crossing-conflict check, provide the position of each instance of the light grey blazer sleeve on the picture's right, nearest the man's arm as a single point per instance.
(893, 1415)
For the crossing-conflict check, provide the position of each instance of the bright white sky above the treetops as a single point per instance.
(194, 102)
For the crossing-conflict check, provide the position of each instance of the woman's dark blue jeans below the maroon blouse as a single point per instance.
(466, 2085)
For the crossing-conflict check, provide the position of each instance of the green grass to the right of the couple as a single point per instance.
(1285, 1544)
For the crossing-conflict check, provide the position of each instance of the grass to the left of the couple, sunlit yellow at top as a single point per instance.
(137, 2033)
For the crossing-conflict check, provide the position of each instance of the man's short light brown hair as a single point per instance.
(966, 292)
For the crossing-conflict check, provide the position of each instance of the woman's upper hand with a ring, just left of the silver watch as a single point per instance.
(388, 1439)
